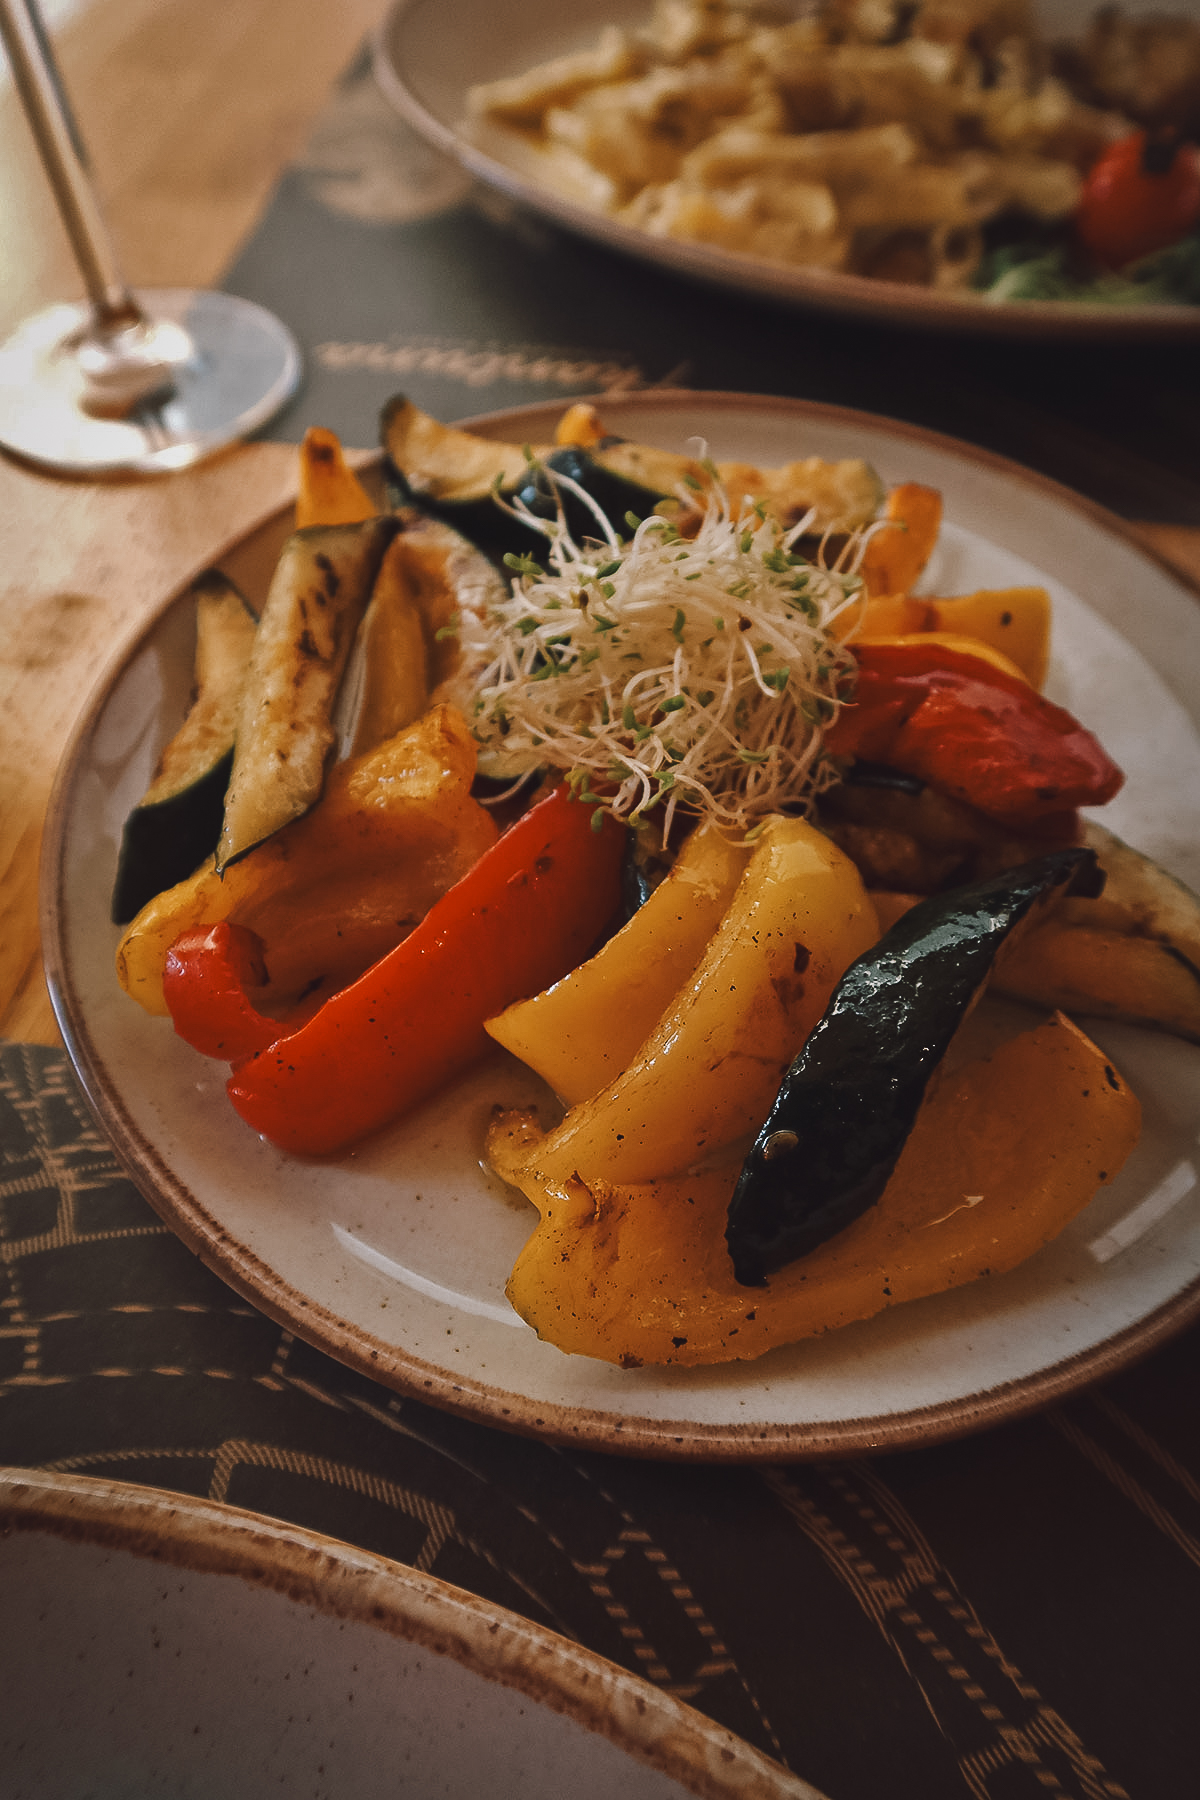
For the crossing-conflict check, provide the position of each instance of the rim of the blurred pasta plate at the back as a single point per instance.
(780, 283)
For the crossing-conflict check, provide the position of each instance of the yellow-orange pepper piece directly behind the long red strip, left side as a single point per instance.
(336, 890)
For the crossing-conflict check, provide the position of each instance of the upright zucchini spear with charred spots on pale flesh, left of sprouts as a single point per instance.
(285, 735)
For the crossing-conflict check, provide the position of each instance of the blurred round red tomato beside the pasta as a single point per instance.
(1142, 197)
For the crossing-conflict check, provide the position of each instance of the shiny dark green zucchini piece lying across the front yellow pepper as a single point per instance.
(848, 1102)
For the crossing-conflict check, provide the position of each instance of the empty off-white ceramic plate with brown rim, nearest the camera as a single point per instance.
(163, 1644)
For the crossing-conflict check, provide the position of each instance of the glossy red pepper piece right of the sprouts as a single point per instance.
(972, 732)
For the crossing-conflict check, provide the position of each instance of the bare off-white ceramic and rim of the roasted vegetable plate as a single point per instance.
(395, 1259)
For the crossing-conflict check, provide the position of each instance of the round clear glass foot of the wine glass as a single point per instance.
(244, 366)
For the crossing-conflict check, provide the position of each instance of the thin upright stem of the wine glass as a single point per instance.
(62, 154)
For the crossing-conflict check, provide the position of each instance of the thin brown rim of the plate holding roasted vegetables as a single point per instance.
(551, 1421)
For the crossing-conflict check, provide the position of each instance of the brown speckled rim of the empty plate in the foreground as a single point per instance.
(364, 1588)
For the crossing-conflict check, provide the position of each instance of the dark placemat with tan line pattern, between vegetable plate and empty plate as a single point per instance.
(1007, 1617)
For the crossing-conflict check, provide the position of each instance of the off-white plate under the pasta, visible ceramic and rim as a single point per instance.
(431, 53)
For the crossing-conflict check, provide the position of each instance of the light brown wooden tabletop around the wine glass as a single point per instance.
(190, 111)
